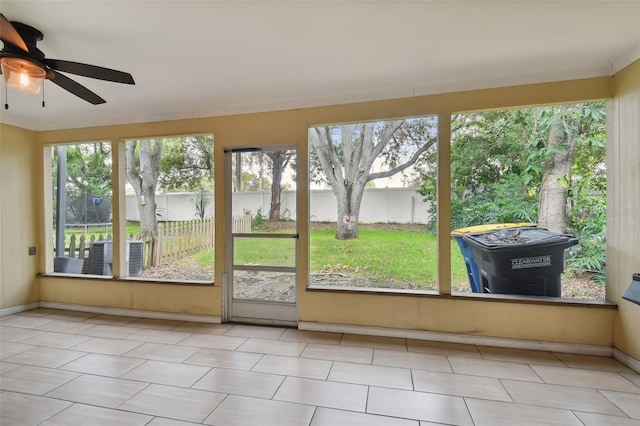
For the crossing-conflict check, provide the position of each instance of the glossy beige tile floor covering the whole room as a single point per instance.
(75, 368)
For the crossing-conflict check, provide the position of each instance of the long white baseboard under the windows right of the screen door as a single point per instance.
(536, 345)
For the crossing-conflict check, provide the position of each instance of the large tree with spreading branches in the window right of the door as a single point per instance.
(345, 156)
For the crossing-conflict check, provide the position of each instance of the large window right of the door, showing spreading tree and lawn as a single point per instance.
(368, 222)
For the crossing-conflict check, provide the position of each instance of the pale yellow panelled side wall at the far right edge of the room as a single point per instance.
(623, 205)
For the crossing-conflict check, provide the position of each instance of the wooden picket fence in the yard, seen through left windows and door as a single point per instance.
(175, 240)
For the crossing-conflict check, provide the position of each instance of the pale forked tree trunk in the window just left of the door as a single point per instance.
(143, 171)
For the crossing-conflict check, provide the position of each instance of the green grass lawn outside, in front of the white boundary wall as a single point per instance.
(379, 254)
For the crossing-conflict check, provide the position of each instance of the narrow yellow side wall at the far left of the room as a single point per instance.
(18, 228)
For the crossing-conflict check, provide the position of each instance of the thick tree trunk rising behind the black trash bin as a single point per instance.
(554, 190)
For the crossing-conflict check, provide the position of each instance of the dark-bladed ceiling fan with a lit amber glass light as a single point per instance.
(22, 59)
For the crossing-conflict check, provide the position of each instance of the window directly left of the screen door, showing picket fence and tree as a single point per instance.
(169, 208)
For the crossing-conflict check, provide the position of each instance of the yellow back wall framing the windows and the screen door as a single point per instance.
(557, 323)
